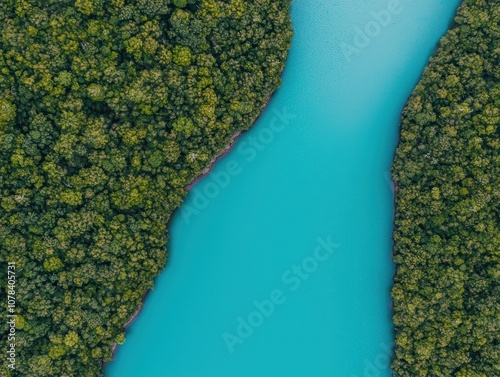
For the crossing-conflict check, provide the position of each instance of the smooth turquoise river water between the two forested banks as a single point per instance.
(308, 187)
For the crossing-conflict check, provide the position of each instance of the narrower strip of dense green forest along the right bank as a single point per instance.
(447, 240)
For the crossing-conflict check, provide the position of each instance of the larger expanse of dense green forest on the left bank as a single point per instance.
(108, 109)
